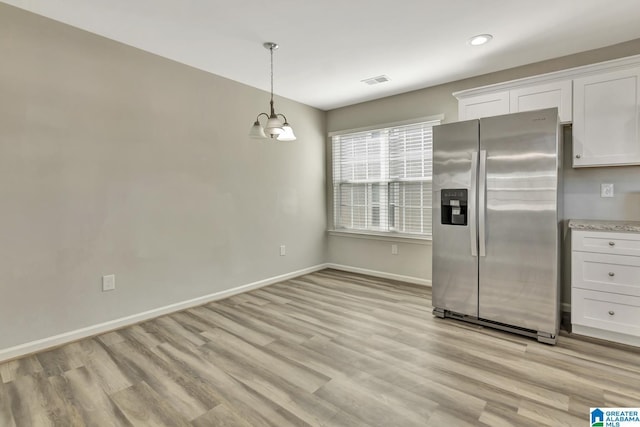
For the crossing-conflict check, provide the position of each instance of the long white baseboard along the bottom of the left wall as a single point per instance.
(67, 337)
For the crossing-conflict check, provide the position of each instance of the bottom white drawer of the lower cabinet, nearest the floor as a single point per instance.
(611, 312)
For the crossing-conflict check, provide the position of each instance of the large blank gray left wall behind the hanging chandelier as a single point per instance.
(116, 161)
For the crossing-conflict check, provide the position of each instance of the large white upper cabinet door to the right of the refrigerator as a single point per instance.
(605, 119)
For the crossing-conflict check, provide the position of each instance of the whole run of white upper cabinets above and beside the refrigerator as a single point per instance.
(601, 100)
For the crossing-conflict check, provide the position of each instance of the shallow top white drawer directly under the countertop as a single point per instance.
(606, 242)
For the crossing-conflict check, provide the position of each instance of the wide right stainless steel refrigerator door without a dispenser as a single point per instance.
(519, 275)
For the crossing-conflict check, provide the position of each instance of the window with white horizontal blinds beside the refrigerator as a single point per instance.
(382, 179)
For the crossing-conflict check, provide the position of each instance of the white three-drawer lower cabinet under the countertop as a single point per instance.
(605, 285)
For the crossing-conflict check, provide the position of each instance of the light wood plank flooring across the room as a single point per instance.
(326, 349)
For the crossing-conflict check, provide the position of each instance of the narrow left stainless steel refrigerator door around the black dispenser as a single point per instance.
(455, 266)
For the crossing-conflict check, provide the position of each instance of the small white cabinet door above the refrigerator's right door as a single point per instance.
(548, 95)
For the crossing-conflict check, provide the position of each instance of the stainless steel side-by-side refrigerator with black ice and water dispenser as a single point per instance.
(496, 222)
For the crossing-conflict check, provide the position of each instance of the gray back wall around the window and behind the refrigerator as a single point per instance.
(581, 186)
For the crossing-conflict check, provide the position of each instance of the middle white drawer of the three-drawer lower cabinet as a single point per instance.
(618, 274)
